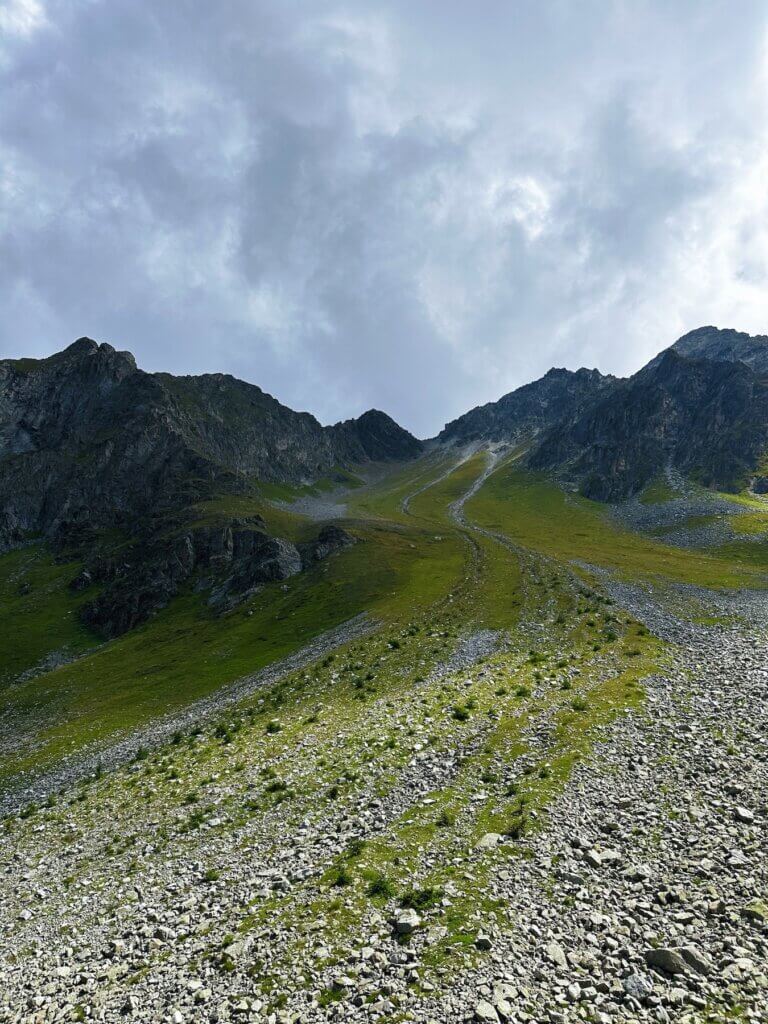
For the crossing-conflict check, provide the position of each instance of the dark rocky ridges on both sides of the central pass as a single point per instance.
(93, 448)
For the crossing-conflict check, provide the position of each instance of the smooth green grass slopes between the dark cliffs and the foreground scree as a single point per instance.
(405, 565)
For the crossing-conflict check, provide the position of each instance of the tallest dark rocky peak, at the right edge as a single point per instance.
(707, 416)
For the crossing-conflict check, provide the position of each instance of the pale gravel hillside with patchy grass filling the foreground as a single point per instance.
(558, 820)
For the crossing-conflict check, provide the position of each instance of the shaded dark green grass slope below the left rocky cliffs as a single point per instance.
(186, 653)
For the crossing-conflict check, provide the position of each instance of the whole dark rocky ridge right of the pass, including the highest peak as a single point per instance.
(699, 407)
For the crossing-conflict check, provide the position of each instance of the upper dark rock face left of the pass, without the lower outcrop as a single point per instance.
(88, 441)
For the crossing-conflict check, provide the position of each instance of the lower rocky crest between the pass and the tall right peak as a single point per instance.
(529, 410)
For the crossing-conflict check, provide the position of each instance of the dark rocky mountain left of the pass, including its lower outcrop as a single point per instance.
(107, 462)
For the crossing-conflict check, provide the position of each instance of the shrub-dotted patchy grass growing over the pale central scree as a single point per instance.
(359, 721)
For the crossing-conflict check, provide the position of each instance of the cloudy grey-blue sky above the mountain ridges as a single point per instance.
(412, 206)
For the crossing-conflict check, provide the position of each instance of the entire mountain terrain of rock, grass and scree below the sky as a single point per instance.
(329, 723)
